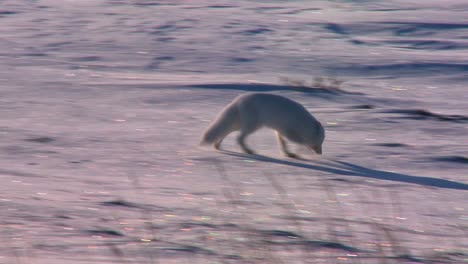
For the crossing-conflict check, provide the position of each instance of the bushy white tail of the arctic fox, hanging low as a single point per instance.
(226, 122)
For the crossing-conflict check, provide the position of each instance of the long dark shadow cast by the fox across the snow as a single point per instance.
(349, 169)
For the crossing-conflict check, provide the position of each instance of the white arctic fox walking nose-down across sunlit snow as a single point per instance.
(251, 111)
